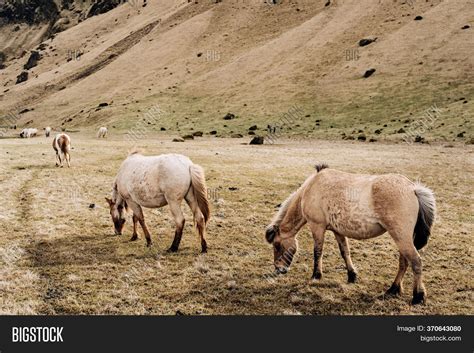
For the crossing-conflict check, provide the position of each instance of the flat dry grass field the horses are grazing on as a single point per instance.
(59, 256)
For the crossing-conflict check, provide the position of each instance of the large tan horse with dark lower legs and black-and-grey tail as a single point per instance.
(360, 207)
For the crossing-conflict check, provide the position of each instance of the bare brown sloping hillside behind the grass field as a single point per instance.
(200, 60)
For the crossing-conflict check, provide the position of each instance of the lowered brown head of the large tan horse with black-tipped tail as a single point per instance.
(284, 248)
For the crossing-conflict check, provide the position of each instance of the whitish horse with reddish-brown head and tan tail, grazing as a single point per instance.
(156, 181)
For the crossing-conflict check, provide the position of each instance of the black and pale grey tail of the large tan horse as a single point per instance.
(426, 215)
